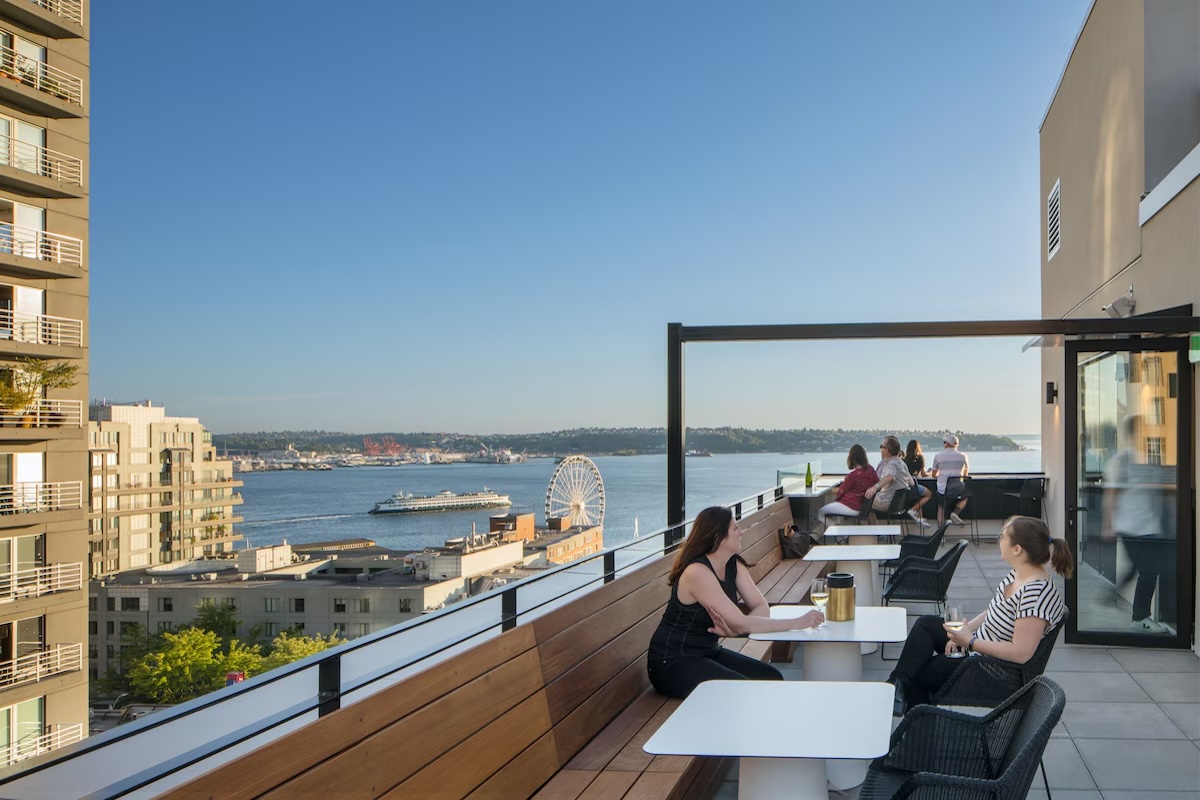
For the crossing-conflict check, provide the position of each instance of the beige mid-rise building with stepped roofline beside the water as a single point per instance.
(158, 492)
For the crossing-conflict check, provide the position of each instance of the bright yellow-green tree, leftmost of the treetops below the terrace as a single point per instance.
(188, 665)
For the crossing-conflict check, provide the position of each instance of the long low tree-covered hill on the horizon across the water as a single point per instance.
(599, 442)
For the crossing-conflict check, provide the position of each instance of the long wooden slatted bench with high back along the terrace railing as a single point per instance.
(557, 708)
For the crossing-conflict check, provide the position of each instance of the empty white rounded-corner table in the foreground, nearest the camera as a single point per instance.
(783, 732)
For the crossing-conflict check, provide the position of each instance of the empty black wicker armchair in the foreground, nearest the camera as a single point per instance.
(938, 754)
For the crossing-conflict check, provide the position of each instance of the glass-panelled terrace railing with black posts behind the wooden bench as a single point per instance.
(206, 731)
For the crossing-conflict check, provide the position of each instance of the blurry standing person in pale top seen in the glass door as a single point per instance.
(1133, 514)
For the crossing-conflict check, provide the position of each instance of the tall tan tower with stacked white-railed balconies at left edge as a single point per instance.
(44, 363)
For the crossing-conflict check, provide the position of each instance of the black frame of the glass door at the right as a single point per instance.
(1185, 543)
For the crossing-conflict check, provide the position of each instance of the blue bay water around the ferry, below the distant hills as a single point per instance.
(311, 507)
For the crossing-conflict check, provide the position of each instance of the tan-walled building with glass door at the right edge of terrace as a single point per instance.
(1120, 193)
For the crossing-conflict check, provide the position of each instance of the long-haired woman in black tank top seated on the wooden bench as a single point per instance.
(706, 581)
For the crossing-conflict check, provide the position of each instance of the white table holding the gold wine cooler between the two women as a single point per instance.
(832, 653)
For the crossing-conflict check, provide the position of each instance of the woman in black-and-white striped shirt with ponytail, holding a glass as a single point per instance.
(1025, 607)
